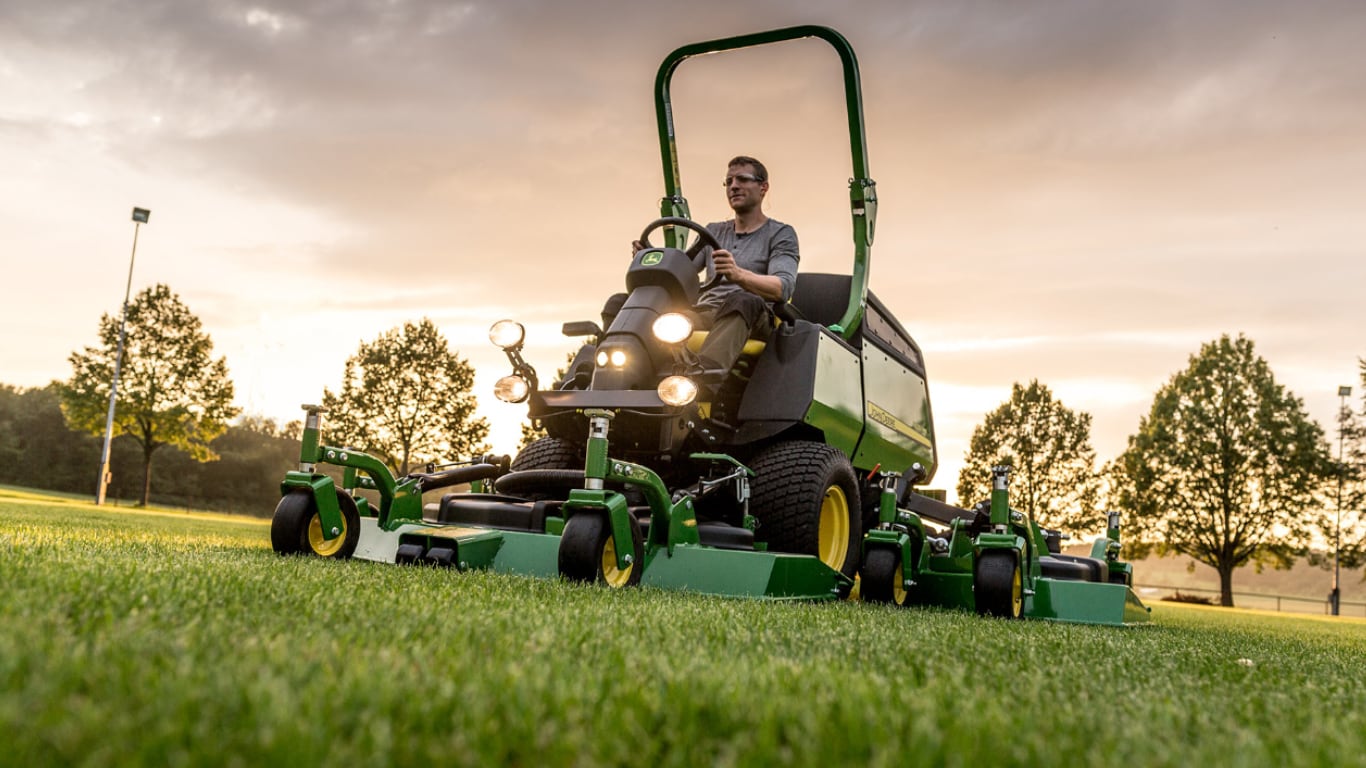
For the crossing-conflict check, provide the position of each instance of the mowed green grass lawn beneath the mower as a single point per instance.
(182, 640)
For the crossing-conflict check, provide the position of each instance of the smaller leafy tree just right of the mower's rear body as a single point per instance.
(1051, 457)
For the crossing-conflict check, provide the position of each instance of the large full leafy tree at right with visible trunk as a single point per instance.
(1226, 467)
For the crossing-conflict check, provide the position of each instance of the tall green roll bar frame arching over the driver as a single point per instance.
(863, 189)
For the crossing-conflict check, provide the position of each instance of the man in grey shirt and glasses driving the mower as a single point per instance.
(755, 266)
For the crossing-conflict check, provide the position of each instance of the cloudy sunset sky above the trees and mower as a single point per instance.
(1076, 192)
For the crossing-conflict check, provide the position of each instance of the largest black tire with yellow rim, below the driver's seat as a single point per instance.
(807, 499)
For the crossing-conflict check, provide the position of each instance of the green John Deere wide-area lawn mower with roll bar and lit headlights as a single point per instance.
(783, 478)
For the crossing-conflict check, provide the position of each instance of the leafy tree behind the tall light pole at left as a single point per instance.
(171, 392)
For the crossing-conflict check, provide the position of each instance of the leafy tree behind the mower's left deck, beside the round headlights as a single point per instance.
(406, 400)
